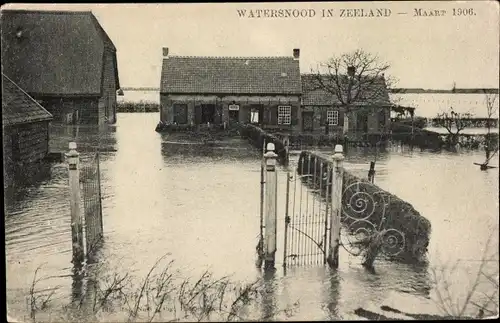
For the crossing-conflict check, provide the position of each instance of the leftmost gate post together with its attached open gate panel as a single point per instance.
(85, 190)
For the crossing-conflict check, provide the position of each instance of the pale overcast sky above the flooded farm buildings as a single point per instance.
(428, 52)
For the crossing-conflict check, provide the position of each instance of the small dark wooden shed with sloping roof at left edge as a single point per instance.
(25, 129)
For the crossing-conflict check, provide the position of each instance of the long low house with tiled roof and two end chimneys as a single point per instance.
(223, 91)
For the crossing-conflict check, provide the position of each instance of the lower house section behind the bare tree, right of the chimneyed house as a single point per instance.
(323, 111)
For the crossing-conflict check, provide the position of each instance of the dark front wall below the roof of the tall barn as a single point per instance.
(84, 110)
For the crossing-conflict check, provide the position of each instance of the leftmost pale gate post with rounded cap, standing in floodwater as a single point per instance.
(76, 220)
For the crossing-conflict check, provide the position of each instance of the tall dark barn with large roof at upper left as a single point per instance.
(65, 61)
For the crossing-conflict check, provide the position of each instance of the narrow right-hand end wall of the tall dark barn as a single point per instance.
(107, 102)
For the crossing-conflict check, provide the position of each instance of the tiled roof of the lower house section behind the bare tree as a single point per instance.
(312, 94)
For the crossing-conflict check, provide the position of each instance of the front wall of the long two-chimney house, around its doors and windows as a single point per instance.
(270, 104)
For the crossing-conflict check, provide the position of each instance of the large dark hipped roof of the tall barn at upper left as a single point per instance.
(56, 53)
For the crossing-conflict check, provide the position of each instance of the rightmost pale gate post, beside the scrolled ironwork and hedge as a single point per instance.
(337, 177)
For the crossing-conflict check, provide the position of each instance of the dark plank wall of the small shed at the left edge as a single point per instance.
(31, 141)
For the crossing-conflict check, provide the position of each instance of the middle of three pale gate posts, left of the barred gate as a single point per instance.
(271, 203)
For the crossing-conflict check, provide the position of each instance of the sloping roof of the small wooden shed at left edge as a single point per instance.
(18, 107)
